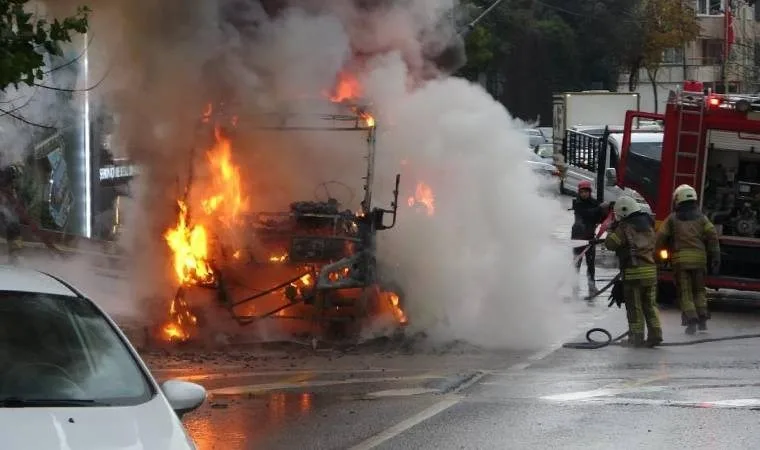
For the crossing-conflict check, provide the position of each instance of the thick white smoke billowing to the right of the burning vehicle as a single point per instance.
(484, 267)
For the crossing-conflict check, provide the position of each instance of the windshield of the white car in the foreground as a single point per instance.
(61, 350)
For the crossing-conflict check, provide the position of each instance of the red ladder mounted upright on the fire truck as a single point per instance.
(686, 161)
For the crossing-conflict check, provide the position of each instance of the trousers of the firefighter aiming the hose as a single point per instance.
(641, 308)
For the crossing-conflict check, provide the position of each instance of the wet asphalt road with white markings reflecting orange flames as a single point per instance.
(407, 394)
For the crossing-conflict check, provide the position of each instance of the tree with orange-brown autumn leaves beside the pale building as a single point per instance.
(664, 24)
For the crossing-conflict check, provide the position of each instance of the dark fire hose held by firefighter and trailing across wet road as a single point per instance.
(593, 344)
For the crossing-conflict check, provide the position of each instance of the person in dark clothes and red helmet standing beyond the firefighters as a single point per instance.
(589, 213)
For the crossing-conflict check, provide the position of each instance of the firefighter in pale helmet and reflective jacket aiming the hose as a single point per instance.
(632, 238)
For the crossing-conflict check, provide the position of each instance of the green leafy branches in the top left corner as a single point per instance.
(26, 39)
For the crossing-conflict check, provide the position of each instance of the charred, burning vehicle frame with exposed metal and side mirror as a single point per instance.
(336, 249)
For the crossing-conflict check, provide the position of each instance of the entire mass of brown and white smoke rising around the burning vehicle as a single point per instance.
(475, 270)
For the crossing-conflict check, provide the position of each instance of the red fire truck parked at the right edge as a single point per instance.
(711, 142)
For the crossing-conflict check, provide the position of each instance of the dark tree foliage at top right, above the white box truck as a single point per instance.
(536, 48)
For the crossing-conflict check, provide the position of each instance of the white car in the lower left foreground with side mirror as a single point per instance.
(69, 378)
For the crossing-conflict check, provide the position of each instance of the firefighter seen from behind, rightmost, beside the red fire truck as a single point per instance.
(694, 247)
